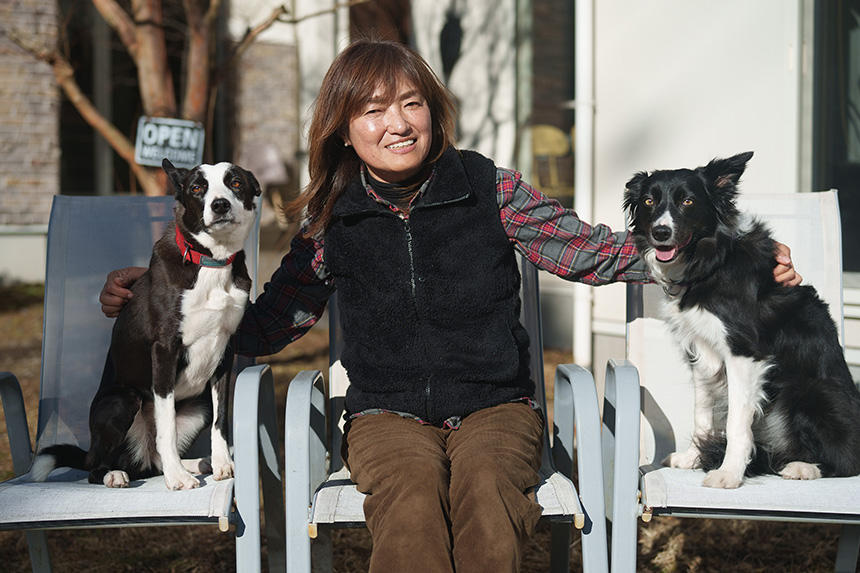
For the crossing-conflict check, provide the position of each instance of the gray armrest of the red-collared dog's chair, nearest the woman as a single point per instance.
(254, 435)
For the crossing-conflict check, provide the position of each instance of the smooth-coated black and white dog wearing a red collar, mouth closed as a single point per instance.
(168, 343)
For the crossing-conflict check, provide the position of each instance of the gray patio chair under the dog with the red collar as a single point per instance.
(87, 237)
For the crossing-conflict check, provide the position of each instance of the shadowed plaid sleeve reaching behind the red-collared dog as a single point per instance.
(291, 302)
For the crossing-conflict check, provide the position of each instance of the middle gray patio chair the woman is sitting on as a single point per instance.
(320, 495)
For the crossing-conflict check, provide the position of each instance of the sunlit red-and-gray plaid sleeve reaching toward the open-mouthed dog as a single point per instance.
(556, 240)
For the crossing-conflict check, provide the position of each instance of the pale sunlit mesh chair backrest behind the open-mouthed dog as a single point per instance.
(809, 224)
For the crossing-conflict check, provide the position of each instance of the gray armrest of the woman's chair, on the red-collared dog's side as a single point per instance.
(304, 450)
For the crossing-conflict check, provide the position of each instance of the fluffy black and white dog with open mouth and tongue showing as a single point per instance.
(765, 356)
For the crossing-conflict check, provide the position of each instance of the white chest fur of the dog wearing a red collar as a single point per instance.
(211, 312)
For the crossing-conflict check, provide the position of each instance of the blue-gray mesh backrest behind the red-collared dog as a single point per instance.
(87, 238)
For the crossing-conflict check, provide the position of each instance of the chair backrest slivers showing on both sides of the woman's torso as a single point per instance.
(529, 316)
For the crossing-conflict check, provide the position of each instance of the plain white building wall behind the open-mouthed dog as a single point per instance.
(678, 82)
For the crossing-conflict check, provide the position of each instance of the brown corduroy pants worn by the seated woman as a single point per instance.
(442, 500)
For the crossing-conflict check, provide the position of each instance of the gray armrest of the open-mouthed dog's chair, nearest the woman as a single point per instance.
(621, 455)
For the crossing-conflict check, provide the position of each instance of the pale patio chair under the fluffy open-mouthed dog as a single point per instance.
(660, 386)
